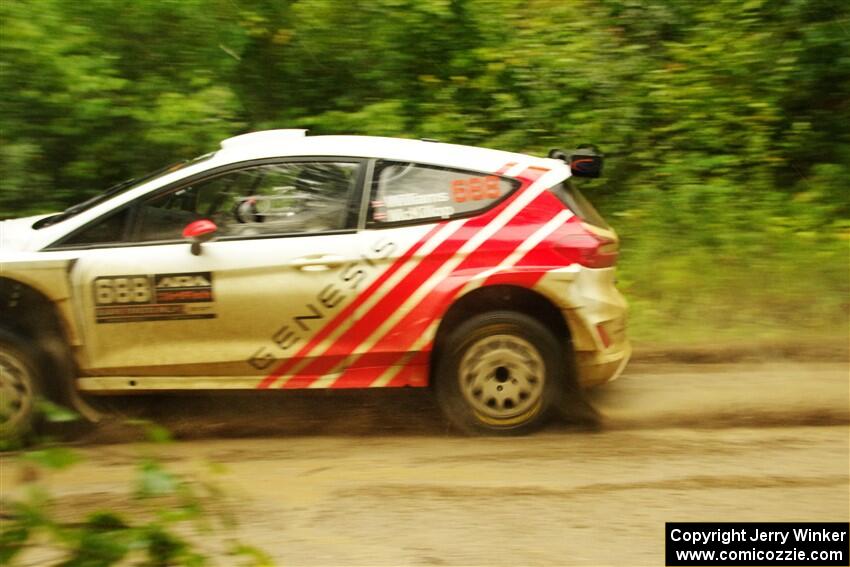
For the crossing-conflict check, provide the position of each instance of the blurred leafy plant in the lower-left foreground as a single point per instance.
(164, 506)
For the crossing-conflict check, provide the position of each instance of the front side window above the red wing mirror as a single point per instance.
(269, 199)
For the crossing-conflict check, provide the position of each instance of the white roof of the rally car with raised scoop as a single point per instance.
(275, 143)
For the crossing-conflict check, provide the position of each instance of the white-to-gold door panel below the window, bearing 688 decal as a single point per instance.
(159, 309)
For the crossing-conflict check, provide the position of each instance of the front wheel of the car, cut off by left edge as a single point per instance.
(20, 386)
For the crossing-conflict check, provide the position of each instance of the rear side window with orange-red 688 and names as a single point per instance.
(409, 193)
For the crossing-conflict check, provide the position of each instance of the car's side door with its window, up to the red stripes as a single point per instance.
(286, 231)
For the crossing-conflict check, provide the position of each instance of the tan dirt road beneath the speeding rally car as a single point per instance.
(374, 480)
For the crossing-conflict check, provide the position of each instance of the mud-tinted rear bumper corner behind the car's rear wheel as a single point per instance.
(596, 314)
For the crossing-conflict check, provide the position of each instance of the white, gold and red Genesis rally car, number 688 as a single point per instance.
(291, 261)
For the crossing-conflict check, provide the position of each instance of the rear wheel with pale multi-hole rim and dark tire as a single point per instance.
(500, 373)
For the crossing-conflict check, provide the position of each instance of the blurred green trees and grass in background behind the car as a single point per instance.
(725, 123)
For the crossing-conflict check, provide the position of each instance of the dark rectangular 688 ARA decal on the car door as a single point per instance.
(157, 297)
